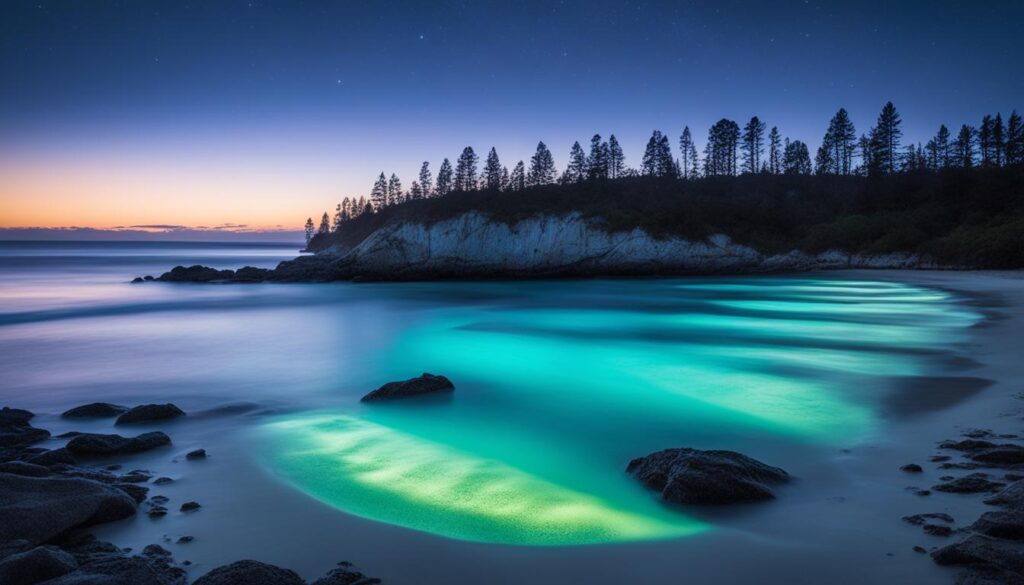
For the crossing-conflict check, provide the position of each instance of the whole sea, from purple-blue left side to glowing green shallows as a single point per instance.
(559, 384)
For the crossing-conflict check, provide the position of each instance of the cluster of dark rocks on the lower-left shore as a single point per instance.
(49, 500)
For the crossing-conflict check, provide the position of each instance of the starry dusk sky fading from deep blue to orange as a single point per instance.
(264, 113)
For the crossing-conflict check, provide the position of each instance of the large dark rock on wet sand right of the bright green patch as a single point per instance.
(707, 478)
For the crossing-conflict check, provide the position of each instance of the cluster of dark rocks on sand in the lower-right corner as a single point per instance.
(992, 550)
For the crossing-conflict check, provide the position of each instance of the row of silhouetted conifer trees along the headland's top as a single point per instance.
(730, 151)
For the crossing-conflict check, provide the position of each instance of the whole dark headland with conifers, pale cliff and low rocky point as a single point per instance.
(753, 202)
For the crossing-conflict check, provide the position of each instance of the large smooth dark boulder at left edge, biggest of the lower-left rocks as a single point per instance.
(38, 510)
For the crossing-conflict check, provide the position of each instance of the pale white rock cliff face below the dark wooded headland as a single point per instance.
(474, 245)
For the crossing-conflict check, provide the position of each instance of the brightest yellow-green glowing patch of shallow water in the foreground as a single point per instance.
(382, 474)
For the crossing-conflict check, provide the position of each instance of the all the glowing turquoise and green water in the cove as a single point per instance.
(560, 385)
